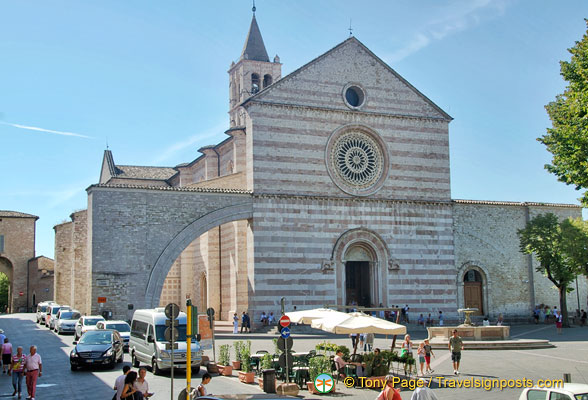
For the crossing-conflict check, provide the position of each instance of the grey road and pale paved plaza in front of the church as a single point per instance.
(58, 382)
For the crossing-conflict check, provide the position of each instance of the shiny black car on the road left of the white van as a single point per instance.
(104, 347)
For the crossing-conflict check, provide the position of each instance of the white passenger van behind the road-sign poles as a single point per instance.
(147, 343)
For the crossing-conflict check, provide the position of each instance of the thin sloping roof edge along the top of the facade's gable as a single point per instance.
(326, 54)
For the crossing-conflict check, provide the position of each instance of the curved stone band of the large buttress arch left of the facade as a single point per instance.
(175, 247)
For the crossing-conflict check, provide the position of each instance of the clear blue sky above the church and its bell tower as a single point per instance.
(150, 79)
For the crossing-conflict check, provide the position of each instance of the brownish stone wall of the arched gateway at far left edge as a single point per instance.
(19, 247)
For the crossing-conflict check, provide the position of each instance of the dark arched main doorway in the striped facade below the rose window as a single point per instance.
(359, 263)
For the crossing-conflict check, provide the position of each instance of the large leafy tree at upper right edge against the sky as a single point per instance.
(567, 139)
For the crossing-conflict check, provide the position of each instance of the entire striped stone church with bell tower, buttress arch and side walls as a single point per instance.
(332, 187)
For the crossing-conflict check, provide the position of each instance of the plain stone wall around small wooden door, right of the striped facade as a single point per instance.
(486, 237)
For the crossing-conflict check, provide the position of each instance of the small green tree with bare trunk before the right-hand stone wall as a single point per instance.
(545, 237)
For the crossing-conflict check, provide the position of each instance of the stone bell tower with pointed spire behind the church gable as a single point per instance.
(252, 73)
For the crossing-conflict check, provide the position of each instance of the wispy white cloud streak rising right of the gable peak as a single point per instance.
(463, 17)
